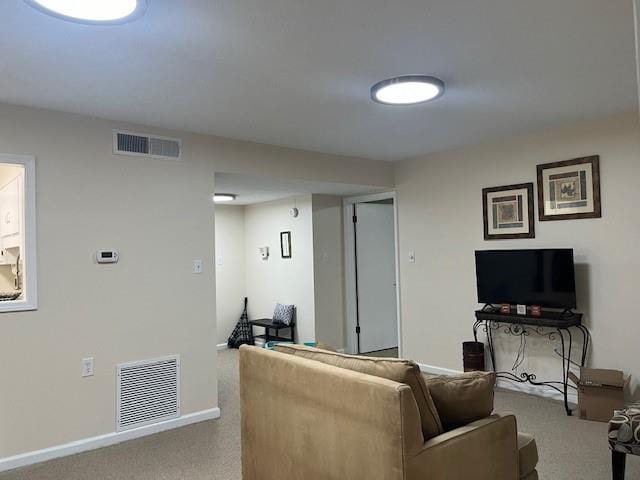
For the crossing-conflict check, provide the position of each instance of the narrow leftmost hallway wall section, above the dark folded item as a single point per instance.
(230, 268)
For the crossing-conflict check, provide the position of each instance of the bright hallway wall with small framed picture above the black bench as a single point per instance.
(281, 280)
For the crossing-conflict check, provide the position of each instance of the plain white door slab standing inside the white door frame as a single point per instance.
(376, 276)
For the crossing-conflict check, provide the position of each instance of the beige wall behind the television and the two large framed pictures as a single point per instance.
(440, 218)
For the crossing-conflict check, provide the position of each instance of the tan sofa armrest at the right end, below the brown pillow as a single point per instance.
(486, 449)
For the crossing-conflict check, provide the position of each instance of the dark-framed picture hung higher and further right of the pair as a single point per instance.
(570, 189)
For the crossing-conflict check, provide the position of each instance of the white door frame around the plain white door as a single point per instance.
(350, 270)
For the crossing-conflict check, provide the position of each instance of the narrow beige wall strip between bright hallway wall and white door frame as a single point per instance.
(328, 272)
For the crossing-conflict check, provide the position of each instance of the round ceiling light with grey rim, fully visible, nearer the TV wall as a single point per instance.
(407, 90)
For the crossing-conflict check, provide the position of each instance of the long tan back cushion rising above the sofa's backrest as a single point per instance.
(397, 370)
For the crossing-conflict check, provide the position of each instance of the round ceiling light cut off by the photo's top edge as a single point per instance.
(96, 12)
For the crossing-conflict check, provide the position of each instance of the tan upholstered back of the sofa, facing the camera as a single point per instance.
(303, 419)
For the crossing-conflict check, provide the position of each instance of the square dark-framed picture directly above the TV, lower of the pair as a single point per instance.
(508, 212)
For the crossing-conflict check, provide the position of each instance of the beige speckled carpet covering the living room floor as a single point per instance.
(570, 449)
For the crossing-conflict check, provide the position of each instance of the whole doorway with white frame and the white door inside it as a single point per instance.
(371, 267)
